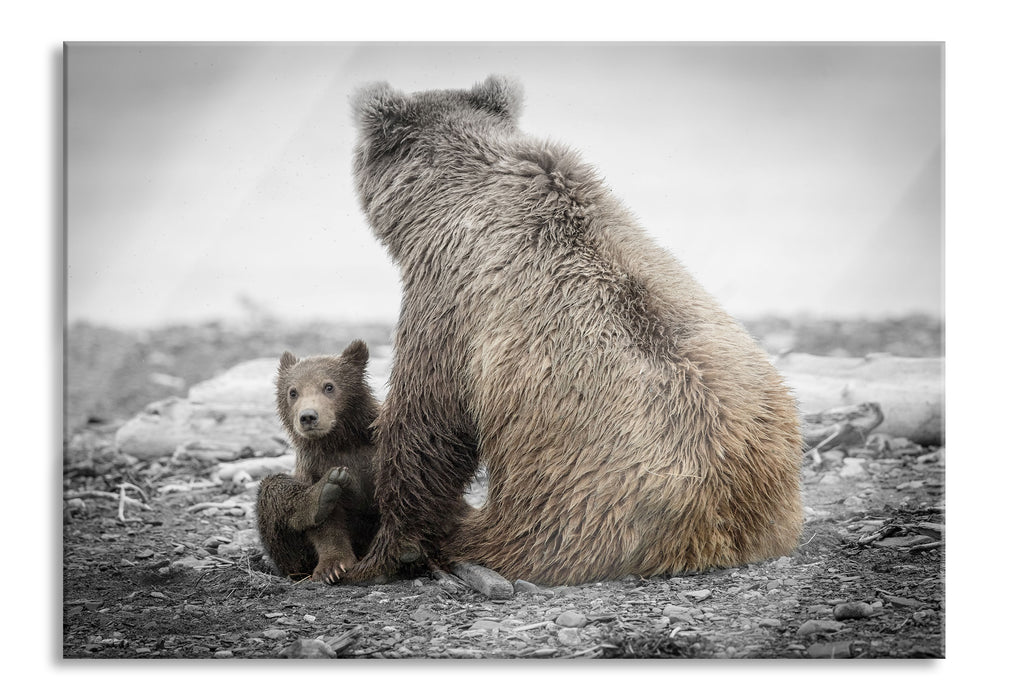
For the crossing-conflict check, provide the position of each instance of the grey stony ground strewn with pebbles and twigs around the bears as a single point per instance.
(177, 573)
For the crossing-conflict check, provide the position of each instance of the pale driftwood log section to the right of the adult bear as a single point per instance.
(909, 392)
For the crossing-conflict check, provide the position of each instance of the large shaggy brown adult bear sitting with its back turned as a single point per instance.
(630, 426)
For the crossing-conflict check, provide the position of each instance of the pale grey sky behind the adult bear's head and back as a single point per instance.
(788, 178)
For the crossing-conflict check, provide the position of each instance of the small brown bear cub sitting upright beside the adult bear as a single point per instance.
(321, 519)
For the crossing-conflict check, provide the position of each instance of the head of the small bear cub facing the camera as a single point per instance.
(326, 395)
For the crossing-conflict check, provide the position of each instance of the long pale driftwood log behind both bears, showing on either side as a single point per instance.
(234, 414)
